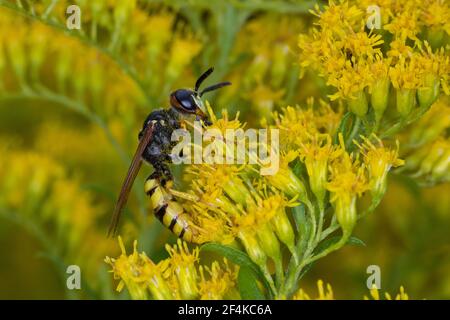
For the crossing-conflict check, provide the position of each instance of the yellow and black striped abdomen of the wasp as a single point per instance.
(168, 211)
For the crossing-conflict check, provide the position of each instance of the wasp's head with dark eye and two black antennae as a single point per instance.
(189, 101)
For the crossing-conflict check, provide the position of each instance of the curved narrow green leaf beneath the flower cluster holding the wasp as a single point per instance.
(238, 257)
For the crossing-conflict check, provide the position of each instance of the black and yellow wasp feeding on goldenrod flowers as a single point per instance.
(155, 146)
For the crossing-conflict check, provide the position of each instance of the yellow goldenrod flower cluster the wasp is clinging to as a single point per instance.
(318, 183)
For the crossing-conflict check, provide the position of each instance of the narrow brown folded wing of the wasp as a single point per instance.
(129, 180)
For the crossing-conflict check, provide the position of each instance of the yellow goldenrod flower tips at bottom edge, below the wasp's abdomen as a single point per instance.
(180, 276)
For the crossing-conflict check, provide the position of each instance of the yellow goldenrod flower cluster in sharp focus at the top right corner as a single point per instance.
(389, 65)
